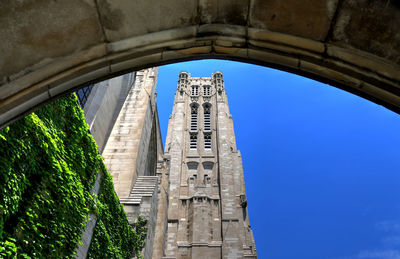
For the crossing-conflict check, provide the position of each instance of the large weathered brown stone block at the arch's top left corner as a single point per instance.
(38, 31)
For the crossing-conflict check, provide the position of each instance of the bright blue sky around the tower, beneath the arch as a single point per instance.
(321, 166)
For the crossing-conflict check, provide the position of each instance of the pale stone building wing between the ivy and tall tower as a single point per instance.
(122, 117)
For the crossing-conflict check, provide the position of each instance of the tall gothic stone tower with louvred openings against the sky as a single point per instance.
(207, 213)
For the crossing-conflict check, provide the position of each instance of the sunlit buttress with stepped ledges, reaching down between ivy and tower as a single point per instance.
(132, 151)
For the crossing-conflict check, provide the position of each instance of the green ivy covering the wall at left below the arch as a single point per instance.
(48, 164)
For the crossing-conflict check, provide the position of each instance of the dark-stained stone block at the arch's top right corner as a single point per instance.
(372, 26)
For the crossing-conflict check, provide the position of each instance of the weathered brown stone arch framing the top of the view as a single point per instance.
(326, 47)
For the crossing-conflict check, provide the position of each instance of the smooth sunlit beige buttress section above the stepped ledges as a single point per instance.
(128, 145)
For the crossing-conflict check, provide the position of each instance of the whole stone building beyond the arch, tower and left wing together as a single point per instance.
(193, 193)
